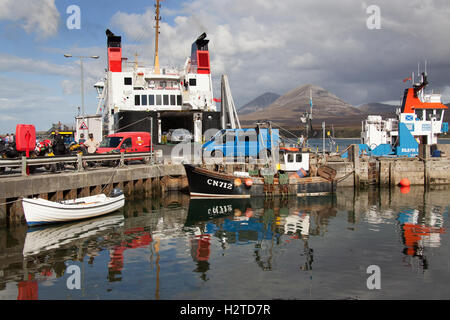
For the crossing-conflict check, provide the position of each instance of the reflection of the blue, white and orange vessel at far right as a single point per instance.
(419, 230)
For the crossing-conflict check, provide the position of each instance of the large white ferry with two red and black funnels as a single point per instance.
(157, 99)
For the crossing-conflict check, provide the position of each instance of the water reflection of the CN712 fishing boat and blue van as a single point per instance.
(269, 225)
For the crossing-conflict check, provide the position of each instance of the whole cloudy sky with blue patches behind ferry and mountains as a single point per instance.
(262, 45)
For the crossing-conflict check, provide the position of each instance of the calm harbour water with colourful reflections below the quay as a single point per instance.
(311, 248)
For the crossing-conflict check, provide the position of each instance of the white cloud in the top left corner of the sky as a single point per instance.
(39, 16)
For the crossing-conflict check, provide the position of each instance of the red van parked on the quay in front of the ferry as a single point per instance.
(129, 142)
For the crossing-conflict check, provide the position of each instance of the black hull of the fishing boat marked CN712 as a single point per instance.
(209, 184)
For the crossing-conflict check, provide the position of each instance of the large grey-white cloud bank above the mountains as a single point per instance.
(278, 45)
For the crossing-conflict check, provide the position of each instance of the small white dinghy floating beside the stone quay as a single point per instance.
(40, 211)
